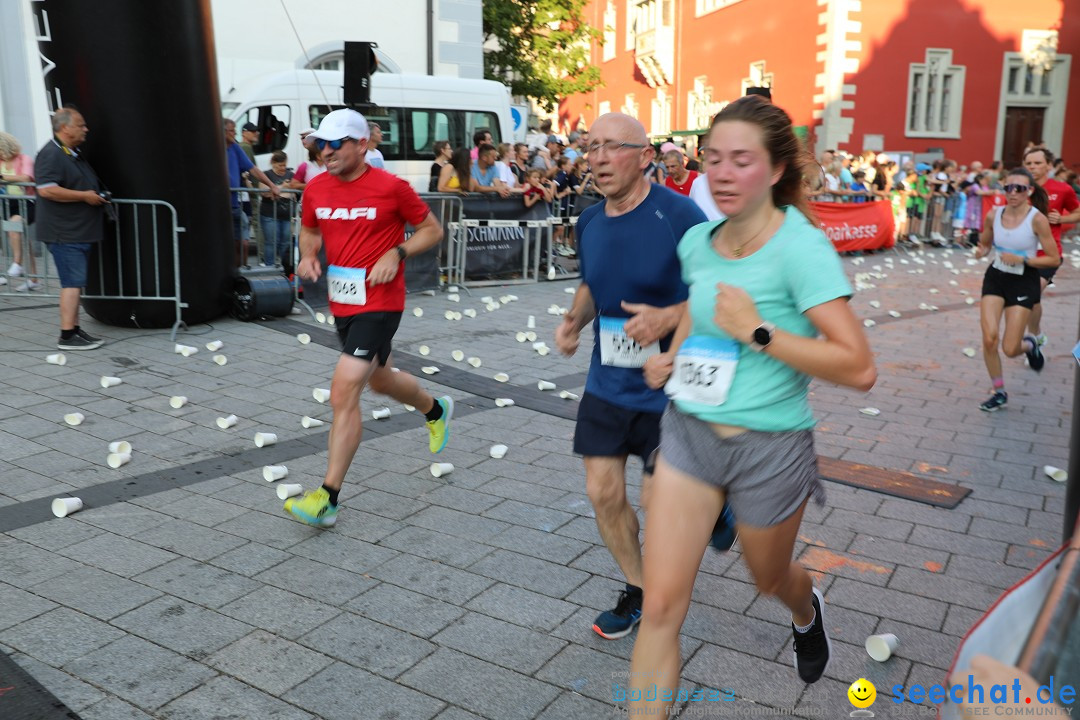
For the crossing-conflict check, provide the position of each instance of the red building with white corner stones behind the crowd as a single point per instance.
(973, 79)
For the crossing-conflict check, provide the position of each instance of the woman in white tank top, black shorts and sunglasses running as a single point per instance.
(1015, 234)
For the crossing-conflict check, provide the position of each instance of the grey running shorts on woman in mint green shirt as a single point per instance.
(766, 477)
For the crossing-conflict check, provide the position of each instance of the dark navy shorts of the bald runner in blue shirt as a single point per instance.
(610, 431)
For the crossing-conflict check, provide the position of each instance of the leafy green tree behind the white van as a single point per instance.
(541, 48)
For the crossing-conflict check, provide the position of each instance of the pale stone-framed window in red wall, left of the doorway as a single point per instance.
(936, 97)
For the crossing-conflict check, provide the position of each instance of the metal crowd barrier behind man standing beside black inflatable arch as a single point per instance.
(151, 246)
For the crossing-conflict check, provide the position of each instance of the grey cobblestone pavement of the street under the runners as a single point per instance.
(183, 591)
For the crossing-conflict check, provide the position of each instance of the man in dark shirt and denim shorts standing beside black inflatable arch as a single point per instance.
(70, 219)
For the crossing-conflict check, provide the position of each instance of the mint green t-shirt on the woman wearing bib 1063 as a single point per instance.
(795, 270)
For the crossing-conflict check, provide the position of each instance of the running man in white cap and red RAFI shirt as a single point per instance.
(360, 212)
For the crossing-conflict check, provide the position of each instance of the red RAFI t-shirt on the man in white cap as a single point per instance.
(360, 222)
